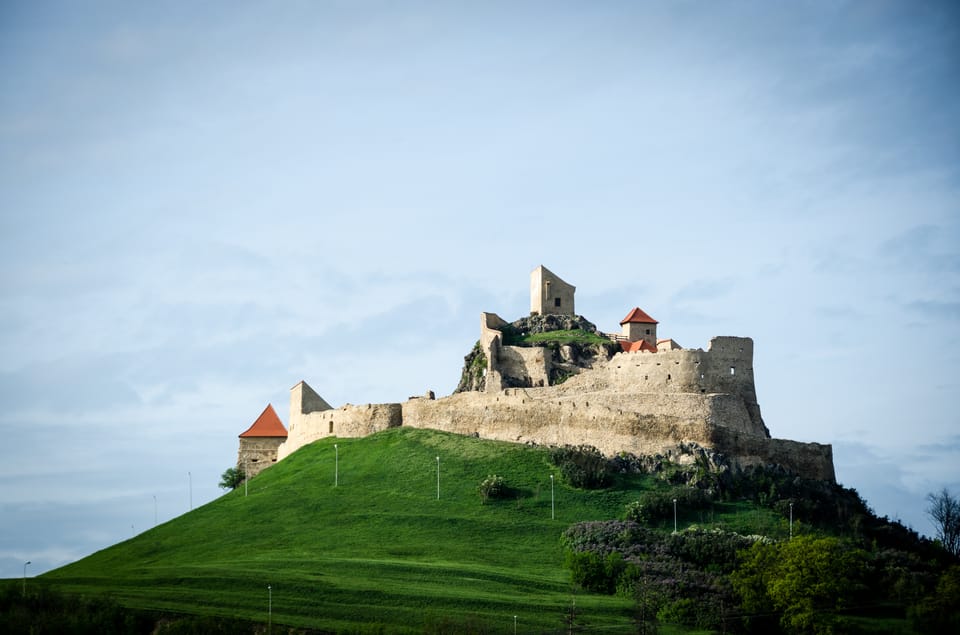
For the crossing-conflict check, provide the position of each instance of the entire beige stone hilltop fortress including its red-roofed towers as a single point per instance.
(635, 393)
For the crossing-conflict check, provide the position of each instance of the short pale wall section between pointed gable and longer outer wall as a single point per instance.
(346, 421)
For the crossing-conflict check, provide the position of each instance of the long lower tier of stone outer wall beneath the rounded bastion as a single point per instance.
(653, 424)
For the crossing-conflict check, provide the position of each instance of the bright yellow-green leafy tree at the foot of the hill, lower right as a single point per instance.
(806, 580)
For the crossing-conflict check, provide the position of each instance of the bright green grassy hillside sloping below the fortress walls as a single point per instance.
(380, 551)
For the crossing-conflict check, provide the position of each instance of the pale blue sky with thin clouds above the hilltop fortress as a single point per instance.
(201, 205)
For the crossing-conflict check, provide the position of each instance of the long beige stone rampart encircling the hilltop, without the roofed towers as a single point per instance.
(642, 403)
